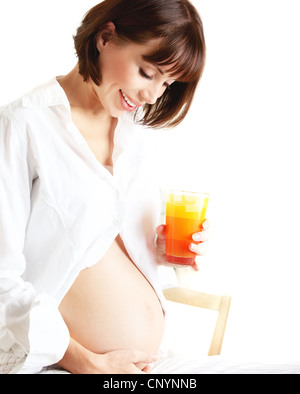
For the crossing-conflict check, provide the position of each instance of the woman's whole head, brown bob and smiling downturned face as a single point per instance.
(176, 29)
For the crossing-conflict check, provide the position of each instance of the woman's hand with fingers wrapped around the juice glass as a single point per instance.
(199, 247)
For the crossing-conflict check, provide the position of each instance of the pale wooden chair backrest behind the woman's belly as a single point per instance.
(218, 303)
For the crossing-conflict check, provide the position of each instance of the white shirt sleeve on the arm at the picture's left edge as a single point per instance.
(29, 320)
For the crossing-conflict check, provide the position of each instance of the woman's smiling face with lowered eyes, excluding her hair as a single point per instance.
(128, 81)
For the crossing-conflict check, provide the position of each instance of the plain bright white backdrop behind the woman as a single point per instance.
(240, 143)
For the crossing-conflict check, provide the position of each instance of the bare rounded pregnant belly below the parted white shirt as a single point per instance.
(112, 306)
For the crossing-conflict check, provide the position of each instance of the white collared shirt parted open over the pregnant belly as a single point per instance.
(60, 210)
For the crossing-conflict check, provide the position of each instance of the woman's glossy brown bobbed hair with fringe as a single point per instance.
(182, 47)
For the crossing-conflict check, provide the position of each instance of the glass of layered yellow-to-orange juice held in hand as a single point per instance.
(185, 213)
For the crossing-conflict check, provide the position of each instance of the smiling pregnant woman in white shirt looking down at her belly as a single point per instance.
(79, 247)
